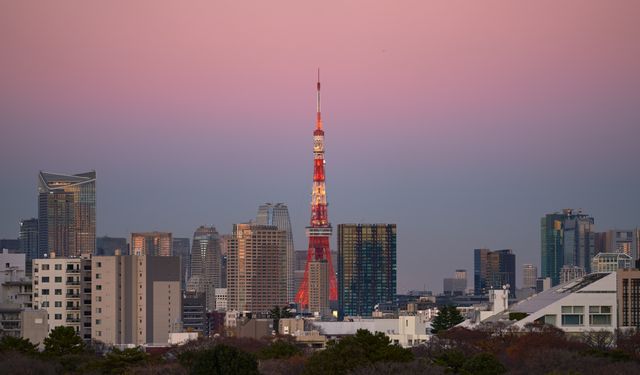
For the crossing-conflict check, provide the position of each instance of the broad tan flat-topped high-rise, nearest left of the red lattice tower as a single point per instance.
(256, 268)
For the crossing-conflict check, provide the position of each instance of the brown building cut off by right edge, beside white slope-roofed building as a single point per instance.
(628, 297)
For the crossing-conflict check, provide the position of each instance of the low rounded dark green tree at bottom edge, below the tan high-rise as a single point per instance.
(220, 360)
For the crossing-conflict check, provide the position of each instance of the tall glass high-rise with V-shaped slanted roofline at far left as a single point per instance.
(66, 214)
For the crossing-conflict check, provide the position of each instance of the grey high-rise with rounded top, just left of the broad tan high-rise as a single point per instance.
(206, 262)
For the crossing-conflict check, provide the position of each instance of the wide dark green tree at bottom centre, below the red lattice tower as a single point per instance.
(350, 353)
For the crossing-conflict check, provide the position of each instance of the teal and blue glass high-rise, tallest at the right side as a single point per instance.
(567, 239)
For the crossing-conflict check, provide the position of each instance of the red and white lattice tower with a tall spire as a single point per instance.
(319, 229)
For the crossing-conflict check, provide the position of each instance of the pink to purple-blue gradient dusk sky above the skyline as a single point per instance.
(462, 122)
